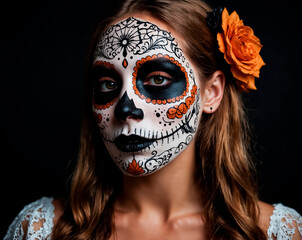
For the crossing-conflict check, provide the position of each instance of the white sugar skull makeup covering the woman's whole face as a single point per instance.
(145, 98)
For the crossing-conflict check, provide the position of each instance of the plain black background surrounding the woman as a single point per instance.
(43, 46)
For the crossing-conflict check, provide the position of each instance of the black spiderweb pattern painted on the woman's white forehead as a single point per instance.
(134, 36)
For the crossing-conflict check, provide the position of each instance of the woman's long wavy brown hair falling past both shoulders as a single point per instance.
(223, 167)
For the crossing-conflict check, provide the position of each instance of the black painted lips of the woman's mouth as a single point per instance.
(132, 143)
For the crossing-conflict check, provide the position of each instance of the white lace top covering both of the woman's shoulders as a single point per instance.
(35, 222)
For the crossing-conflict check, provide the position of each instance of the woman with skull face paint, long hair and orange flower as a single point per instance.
(162, 100)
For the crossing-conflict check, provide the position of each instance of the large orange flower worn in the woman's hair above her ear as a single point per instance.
(241, 50)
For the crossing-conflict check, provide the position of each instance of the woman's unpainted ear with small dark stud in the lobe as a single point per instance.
(214, 92)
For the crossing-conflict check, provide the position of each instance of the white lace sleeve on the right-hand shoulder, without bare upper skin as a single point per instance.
(283, 223)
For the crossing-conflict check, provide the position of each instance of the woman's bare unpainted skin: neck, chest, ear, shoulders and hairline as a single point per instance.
(166, 204)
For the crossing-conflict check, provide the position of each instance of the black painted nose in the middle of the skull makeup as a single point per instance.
(126, 108)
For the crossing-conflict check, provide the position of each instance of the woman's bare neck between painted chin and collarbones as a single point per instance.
(170, 192)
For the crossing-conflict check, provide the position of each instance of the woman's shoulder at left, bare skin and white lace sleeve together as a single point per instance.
(36, 220)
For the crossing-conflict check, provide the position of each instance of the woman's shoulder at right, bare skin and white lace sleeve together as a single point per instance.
(280, 222)
